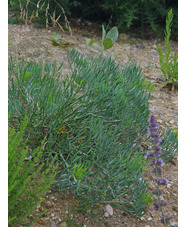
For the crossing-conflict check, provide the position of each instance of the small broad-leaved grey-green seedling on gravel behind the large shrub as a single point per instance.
(108, 39)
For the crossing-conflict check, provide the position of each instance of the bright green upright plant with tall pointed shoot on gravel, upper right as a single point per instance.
(168, 61)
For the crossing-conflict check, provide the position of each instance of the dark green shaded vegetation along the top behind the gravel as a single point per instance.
(136, 15)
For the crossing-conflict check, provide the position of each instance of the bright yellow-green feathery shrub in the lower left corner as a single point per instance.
(27, 182)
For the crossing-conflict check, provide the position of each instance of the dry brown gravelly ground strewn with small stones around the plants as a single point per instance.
(32, 43)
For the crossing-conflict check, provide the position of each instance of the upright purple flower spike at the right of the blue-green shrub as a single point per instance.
(157, 162)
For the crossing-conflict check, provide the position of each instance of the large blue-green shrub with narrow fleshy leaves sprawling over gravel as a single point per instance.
(95, 122)
